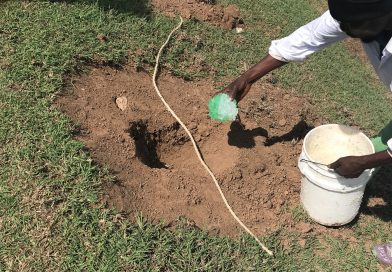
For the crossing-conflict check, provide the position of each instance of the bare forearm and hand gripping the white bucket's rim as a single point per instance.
(353, 166)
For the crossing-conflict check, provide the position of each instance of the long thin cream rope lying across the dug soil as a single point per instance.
(194, 143)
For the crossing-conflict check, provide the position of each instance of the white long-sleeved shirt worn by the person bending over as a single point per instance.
(321, 33)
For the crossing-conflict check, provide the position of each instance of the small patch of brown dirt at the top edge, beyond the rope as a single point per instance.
(215, 14)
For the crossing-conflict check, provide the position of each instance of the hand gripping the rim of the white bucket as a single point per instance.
(348, 167)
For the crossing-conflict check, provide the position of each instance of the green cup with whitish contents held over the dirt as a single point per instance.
(222, 108)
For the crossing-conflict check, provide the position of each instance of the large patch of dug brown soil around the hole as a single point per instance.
(126, 127)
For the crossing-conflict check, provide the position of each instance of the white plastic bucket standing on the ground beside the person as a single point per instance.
(329, 198)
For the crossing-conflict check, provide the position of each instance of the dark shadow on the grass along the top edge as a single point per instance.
(140, 8)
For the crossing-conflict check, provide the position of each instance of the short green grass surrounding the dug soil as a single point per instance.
(50, 215)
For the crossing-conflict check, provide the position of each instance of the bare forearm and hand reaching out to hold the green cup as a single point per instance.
(239, 88)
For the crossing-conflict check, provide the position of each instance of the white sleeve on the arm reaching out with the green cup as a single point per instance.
(307, 39)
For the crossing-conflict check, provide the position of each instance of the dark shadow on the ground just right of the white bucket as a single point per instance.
(380, 186)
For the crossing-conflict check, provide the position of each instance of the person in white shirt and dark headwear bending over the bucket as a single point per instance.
(368, 20)
